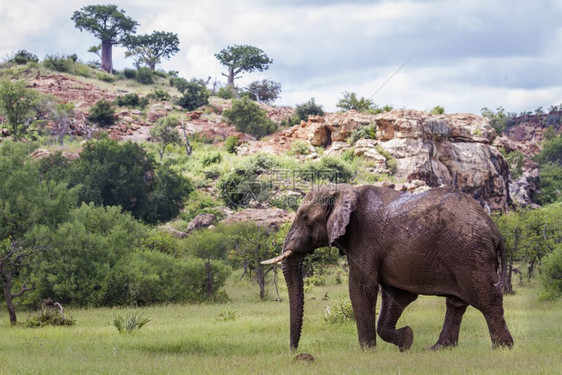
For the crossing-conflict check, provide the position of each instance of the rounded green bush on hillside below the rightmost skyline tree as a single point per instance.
(248, 117)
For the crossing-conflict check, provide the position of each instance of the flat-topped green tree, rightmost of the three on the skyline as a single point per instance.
(242, 58)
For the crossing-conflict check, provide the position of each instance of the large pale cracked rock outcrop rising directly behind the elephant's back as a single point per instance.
(453, 150)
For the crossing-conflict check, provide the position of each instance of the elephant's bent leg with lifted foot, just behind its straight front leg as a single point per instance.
(394, 301)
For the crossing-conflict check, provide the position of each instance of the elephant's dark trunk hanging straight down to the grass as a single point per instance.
(292, 269)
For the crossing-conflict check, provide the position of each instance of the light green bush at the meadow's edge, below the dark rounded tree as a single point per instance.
(84, 252)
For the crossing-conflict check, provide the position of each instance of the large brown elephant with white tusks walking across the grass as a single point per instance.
(439, 242)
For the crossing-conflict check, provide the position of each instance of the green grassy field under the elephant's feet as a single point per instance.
(189, 339)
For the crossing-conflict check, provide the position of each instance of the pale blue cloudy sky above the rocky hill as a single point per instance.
(463, 54)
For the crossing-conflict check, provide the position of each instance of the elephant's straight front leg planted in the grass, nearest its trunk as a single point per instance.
(363, 296)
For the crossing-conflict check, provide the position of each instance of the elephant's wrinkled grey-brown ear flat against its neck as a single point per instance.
(344, 203)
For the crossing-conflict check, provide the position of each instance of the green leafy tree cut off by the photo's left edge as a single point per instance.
(28, 205)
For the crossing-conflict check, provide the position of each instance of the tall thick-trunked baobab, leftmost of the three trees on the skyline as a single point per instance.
(107, 23)
